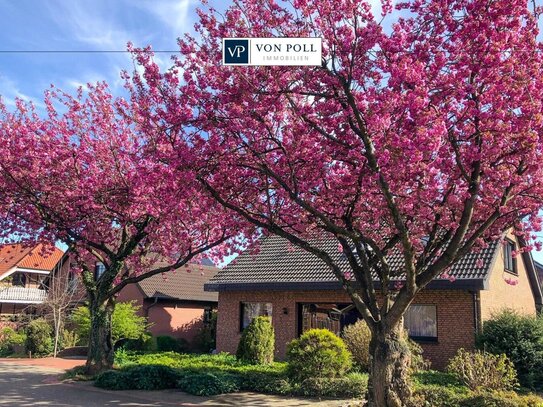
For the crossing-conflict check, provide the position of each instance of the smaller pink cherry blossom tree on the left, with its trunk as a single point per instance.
(87, 175)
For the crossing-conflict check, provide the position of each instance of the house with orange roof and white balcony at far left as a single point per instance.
(24, 276)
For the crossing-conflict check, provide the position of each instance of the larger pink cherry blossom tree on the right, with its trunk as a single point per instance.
(423, 139)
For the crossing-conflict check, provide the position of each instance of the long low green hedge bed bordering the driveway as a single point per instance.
(206, 375)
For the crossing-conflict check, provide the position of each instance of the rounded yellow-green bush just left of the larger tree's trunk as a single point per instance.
(317, 353)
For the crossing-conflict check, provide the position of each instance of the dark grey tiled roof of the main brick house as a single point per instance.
(281, 266)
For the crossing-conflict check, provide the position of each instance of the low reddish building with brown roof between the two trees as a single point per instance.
(175, 302)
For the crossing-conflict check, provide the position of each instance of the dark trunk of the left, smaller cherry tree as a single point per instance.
(100, 356)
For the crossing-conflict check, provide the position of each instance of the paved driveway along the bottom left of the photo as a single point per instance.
(28, 385)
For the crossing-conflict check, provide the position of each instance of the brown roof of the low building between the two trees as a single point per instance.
(186, 283)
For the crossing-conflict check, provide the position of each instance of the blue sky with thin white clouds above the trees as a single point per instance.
(89, 27)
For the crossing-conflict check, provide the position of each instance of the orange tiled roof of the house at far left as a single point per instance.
(28, 257)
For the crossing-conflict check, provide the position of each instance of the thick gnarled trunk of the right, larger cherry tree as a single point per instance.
(389, 384)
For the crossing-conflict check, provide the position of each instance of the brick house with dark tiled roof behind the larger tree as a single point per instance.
(299, 292)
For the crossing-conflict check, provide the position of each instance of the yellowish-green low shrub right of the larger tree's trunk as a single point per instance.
(479, 370)
